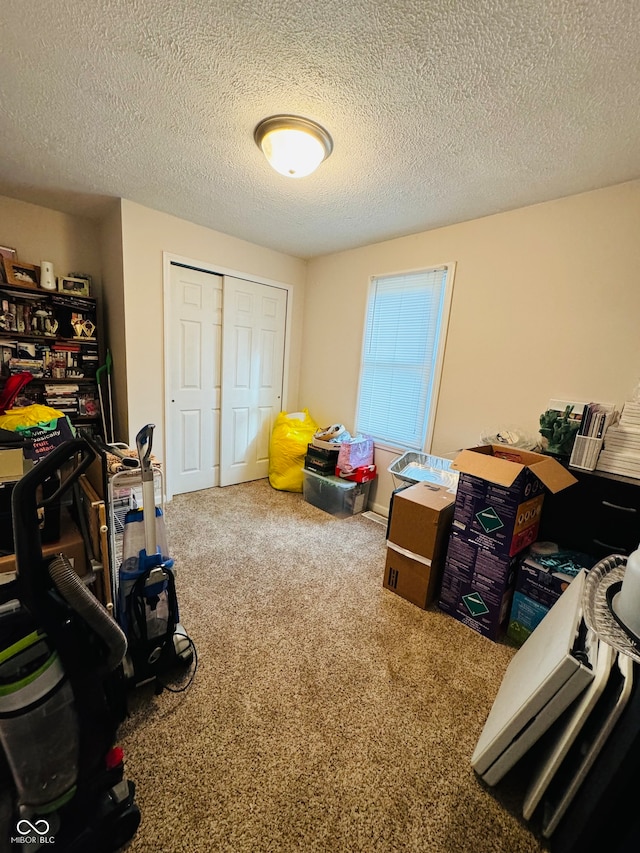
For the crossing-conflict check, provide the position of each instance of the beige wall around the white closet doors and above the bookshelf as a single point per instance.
(124, 254)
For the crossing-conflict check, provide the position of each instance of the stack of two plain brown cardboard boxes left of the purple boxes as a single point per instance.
(419, 524)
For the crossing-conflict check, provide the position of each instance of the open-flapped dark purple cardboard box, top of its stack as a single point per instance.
(500, 495)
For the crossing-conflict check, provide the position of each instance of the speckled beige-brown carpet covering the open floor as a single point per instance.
(327, 714)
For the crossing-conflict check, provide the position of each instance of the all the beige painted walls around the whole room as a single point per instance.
(545, 304)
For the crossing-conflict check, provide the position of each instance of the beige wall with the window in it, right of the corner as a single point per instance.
(546, 304)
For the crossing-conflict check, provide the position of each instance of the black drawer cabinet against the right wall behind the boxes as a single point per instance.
(599, 515)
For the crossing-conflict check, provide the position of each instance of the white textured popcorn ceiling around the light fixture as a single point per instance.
(440, 110)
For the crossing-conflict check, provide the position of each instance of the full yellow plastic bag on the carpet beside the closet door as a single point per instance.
(288, 446)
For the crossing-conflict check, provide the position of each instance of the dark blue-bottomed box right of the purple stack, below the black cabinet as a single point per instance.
(540, 581)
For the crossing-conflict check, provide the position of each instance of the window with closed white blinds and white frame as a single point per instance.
(402, 353)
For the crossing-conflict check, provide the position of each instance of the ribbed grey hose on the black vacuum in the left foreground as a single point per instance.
(87, 605)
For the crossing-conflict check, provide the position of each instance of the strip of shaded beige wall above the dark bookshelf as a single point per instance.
(71, 243)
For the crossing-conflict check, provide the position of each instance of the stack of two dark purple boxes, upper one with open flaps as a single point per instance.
(497, 514)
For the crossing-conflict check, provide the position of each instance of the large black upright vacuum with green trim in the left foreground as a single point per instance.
(62, 692)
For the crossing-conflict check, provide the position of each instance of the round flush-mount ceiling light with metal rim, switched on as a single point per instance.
(294, 146)
